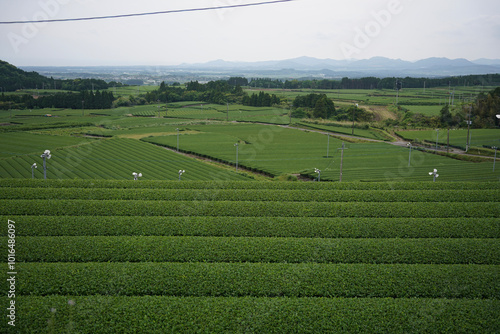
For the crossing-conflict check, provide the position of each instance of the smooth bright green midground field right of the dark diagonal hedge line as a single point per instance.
(278, 151)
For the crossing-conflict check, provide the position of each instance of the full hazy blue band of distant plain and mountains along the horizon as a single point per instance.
(302, 67)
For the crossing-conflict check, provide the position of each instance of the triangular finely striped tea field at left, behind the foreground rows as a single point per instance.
(113, 159)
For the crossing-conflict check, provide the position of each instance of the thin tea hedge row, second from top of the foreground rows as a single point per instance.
(274, 195)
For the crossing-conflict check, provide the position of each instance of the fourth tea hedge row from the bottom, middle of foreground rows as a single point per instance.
(300, 227)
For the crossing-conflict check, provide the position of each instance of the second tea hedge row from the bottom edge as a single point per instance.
(260, 280)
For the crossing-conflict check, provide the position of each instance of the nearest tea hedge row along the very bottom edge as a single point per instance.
(152, 314)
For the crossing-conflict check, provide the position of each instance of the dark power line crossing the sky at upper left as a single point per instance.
(150, 13)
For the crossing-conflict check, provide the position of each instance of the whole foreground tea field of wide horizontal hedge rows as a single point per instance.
(104, 256)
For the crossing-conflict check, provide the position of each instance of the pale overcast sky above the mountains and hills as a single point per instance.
(336, 29)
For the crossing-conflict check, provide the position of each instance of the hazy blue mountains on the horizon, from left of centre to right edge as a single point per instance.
(377, 66)
